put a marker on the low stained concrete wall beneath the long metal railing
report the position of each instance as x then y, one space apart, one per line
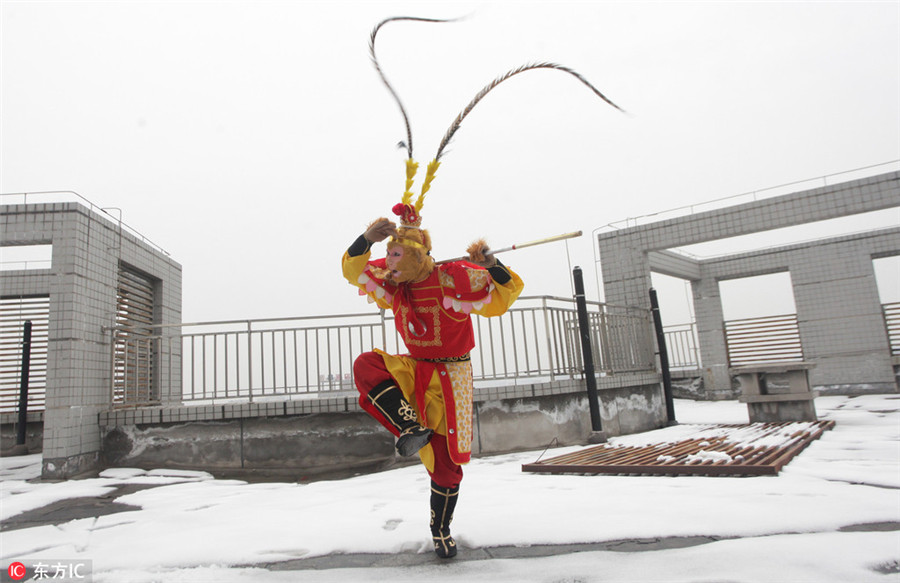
333 436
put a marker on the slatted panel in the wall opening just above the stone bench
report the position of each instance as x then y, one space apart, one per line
766 339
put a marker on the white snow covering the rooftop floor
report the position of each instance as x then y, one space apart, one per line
192 527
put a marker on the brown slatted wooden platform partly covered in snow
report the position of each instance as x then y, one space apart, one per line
754 449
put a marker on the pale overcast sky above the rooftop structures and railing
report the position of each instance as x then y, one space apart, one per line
253 140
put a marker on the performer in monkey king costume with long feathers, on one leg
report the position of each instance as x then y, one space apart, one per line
424 398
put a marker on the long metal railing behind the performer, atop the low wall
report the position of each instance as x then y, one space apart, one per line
304 357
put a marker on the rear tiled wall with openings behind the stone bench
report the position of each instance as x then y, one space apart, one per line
839 312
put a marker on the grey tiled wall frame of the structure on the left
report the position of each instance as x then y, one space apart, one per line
88 249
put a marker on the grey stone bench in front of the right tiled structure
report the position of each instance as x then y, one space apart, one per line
777 392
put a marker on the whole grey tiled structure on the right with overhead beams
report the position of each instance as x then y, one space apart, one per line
841 327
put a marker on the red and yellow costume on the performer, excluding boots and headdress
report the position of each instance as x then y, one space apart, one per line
433 316
